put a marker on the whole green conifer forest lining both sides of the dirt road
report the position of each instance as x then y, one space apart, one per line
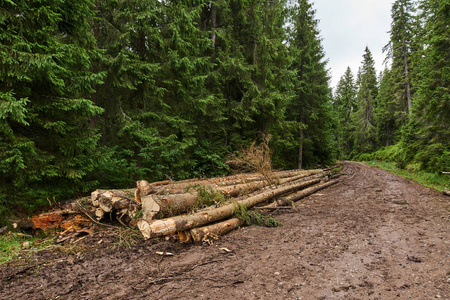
99 94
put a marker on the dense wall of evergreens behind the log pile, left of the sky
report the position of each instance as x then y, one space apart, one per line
108 92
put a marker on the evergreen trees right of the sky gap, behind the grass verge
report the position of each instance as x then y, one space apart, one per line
410 114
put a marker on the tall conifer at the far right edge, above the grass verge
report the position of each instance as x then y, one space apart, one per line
427 138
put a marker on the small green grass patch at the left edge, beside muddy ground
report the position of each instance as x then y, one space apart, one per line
12 246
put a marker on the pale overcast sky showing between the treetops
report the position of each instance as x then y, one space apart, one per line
347 27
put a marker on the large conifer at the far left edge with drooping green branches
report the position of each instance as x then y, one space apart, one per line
46 142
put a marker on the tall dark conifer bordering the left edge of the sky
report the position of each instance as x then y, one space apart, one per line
310 108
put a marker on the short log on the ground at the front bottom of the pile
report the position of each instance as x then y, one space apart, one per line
200 234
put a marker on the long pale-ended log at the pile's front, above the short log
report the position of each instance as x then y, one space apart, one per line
175 224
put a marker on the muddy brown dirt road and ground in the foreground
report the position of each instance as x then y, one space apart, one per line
373 235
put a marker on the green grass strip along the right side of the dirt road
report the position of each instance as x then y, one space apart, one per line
439 182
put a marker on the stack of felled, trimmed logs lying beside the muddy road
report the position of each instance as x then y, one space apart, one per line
168 207
